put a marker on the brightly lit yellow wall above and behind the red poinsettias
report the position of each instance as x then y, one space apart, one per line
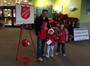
64 3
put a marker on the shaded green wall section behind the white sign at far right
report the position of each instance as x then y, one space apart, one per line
84 17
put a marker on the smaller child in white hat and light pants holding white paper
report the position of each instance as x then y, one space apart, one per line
51 43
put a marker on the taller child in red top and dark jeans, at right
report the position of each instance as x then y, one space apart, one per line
62 40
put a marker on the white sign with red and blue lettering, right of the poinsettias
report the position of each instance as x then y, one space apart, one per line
81 34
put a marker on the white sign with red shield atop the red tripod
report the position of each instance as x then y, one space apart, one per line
24 14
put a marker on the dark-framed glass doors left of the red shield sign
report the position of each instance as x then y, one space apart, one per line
8 14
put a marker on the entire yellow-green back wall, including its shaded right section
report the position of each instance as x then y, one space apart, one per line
81 13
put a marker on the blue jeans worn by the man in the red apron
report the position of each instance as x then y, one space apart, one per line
40 48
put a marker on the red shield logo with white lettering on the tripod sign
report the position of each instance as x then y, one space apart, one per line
25 12
